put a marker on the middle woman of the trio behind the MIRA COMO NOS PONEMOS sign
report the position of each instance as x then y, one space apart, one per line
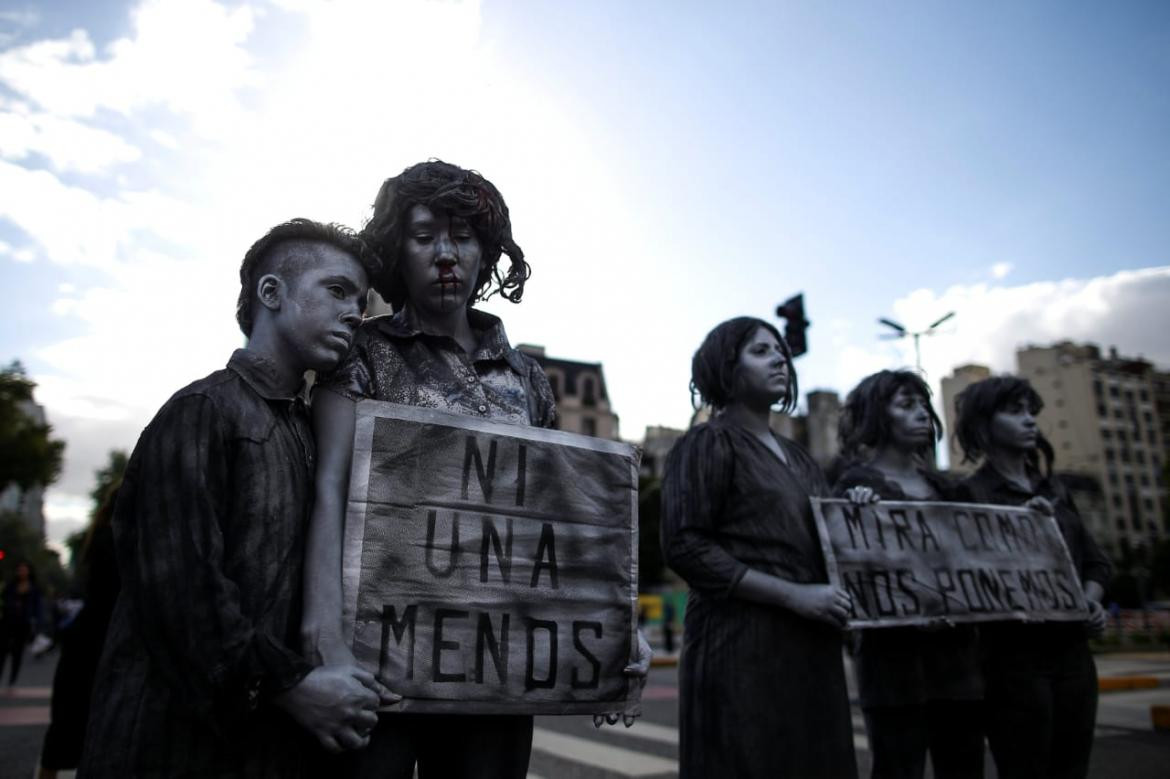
920 688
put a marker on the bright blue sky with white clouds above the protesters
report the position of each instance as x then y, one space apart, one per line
669 164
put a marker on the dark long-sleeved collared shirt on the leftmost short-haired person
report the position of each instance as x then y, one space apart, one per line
210 529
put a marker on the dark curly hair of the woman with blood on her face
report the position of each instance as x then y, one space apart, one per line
451 190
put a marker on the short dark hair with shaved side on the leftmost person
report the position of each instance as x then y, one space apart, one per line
263 259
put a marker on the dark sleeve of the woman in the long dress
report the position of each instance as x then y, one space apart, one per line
696 487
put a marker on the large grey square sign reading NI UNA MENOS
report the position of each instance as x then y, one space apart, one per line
491 568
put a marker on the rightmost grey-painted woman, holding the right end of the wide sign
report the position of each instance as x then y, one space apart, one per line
1041 681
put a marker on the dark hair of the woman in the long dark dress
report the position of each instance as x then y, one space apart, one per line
713 368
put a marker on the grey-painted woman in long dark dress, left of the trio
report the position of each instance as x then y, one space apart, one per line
762 683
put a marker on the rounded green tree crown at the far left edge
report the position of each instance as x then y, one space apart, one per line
29 456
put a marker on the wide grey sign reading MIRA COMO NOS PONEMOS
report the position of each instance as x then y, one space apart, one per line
907 563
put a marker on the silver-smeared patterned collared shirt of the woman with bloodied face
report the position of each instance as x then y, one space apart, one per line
394 361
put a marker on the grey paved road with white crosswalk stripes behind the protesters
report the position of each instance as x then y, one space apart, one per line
570 748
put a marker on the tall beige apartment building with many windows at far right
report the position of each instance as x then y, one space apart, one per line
1103 420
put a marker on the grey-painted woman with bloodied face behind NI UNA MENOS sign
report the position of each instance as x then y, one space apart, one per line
441 231
